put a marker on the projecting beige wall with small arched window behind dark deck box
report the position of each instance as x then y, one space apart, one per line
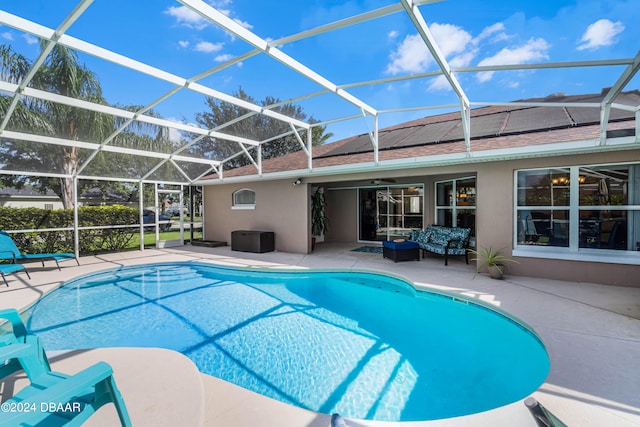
280 207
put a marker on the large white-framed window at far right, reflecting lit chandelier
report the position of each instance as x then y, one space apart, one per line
580 208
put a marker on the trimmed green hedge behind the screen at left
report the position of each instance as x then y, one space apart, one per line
91 241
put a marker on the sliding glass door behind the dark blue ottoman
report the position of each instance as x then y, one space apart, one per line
389 212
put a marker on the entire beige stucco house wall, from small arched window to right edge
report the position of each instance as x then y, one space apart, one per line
284 209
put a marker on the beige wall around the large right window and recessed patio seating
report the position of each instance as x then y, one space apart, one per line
495 214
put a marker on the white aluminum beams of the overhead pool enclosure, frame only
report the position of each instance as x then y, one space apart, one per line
272 50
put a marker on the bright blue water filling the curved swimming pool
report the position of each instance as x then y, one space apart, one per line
365 345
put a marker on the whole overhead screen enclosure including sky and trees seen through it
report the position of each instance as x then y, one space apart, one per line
184 91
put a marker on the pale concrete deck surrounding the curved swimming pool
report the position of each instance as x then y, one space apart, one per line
592 333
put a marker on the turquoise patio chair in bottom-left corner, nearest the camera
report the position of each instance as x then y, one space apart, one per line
56 399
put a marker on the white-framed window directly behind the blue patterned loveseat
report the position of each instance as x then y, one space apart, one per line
456 204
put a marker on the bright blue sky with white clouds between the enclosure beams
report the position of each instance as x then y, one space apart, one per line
166 35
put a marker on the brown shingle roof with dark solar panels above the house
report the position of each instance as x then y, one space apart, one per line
492 127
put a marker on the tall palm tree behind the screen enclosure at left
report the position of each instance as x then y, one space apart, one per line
62 73
